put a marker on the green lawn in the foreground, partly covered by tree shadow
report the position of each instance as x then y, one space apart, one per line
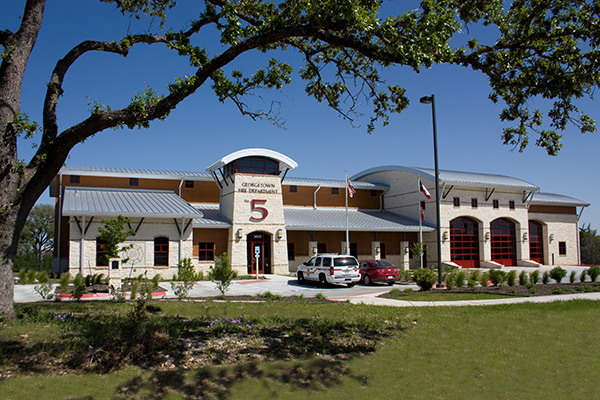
524 351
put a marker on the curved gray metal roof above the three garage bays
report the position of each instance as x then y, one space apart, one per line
469 179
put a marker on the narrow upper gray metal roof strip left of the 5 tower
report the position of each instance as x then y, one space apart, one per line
136 173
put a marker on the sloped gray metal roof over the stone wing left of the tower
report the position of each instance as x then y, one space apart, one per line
126 202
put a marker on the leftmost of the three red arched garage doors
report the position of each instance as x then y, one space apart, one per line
464 242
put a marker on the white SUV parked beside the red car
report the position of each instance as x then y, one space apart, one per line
330 268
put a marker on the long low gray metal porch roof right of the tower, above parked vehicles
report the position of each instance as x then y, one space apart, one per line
334 219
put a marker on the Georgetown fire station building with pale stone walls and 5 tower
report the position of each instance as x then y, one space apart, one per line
247 206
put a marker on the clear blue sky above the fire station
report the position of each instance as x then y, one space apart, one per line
201 130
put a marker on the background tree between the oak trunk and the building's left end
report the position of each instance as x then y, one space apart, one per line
37 239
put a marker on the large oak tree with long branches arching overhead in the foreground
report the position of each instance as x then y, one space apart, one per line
545 49
